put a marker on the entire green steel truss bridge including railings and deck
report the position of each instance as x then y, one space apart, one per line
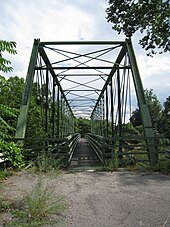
97 80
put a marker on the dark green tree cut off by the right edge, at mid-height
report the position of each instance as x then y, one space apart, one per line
165 121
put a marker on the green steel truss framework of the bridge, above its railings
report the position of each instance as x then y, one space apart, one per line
80 79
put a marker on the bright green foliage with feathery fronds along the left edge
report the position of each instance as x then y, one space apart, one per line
10 150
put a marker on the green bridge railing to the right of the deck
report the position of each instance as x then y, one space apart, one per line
128 149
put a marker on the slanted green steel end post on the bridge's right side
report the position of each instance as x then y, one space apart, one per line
145 115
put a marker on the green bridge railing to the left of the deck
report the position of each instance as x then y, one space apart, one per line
59 148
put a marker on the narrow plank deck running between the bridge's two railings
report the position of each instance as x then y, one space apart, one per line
84 156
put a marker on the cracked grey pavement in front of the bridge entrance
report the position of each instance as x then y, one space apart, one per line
103 199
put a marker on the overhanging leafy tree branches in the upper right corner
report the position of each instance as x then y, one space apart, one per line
151 18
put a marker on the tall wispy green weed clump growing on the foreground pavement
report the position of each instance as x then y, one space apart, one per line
39 207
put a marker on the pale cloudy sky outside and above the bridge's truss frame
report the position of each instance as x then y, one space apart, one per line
70 20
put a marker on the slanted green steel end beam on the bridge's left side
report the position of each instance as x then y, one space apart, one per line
22 119
